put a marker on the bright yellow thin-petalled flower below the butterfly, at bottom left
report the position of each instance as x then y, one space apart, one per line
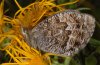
22 54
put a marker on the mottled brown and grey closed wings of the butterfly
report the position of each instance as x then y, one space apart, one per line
64 33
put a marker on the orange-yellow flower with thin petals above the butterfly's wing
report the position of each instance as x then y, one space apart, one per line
30 15
